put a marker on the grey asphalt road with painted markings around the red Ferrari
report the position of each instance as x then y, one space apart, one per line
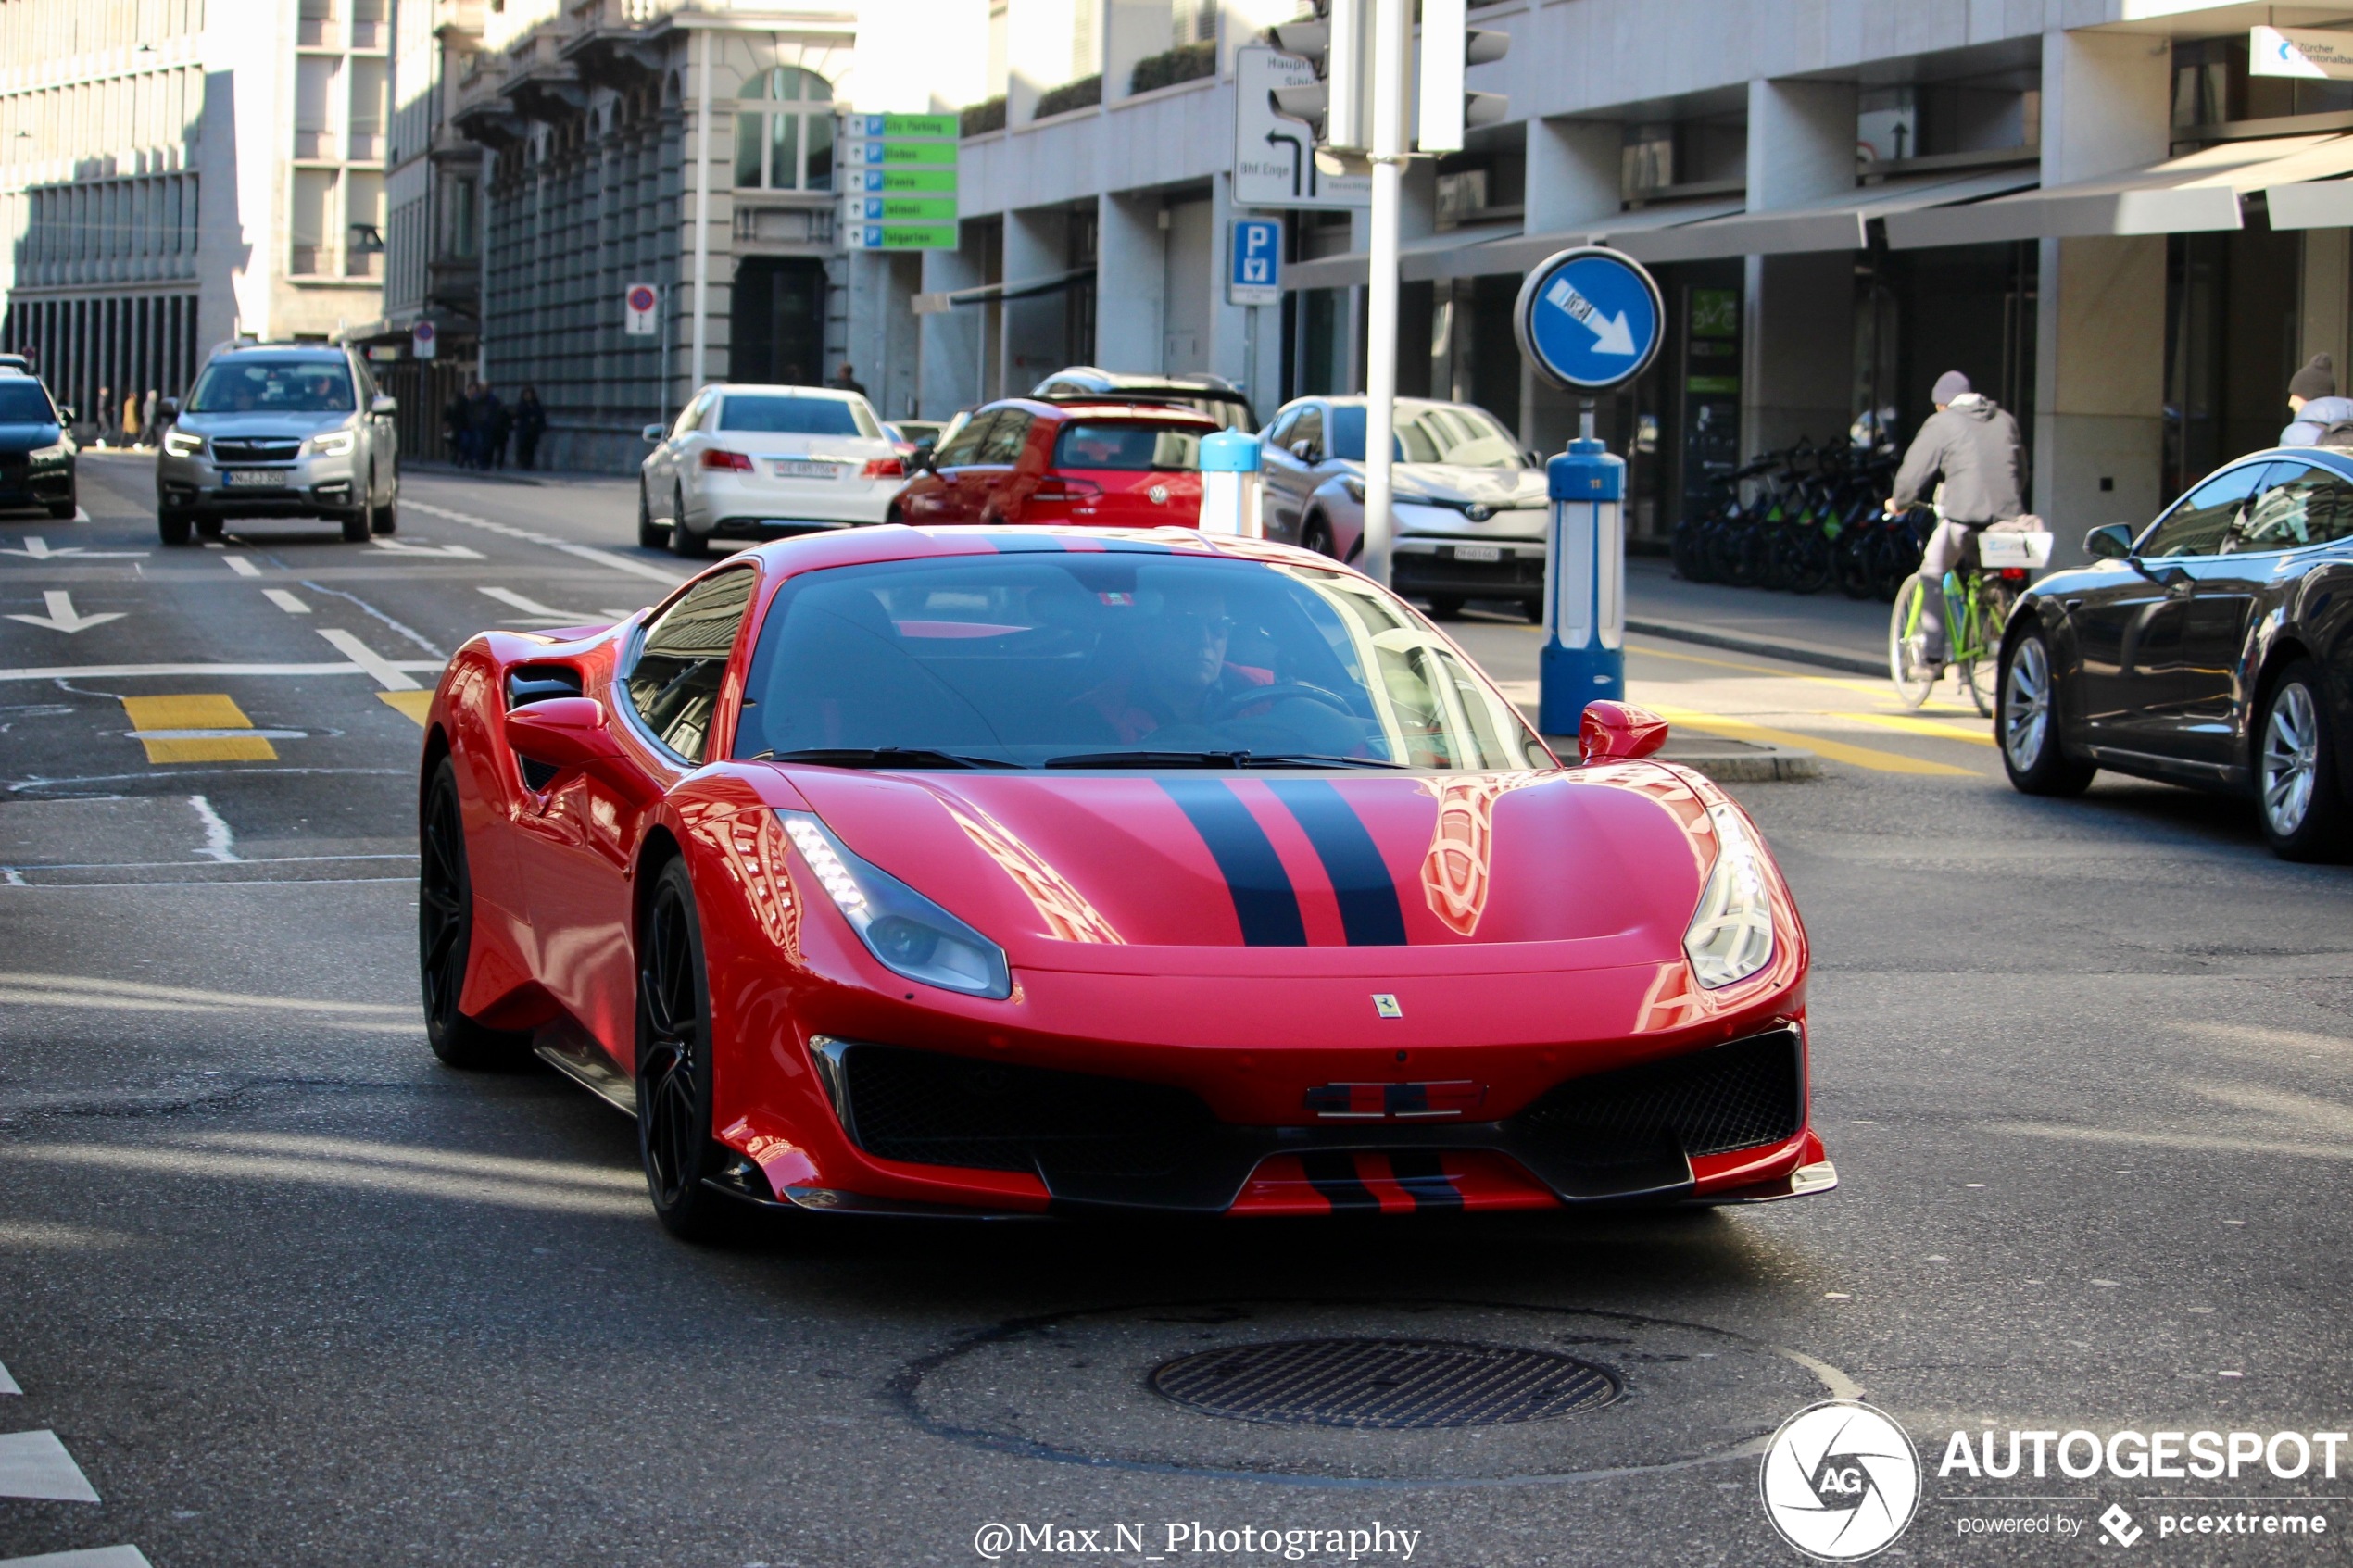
286 1292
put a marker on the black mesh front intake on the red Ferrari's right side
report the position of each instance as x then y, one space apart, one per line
1712 1101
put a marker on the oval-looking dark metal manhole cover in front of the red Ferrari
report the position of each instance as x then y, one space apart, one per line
1385 1386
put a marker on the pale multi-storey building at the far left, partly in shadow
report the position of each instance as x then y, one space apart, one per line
178 173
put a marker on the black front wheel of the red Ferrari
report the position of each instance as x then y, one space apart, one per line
674 1064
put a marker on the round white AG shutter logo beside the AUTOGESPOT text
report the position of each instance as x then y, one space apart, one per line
1841 1482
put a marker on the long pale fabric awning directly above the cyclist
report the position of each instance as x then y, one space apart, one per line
2199 192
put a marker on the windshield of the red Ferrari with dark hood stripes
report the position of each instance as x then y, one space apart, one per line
1053 659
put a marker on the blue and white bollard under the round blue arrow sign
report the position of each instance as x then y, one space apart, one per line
1585 587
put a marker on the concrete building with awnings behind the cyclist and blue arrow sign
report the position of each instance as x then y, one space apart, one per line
2088 206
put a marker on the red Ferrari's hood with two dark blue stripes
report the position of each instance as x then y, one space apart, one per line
1293 873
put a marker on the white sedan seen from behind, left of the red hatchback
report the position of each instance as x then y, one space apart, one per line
766 462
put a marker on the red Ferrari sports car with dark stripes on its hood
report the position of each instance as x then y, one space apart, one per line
1029 871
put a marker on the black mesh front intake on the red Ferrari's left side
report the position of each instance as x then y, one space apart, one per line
954 1111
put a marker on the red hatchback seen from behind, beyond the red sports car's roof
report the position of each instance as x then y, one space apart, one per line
1091 464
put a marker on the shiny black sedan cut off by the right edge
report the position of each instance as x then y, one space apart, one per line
2213 648
